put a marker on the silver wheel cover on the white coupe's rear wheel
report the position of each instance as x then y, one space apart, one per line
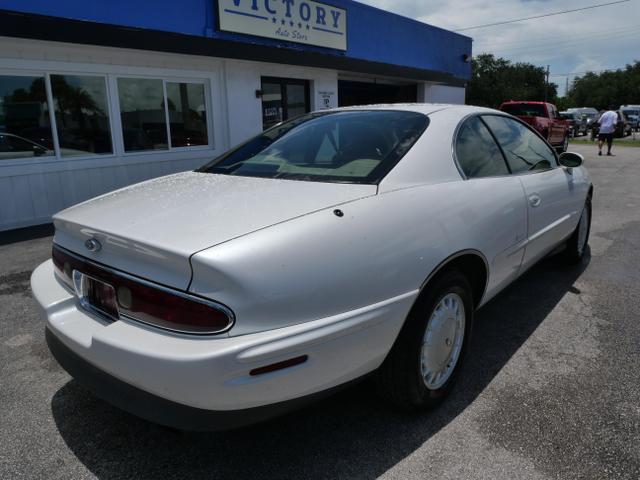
442 341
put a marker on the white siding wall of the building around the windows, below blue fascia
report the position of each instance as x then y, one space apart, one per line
33 189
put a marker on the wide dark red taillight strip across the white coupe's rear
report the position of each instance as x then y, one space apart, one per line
145 301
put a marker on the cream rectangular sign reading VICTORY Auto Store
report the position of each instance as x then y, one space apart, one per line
301 21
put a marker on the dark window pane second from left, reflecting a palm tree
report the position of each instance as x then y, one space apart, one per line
82 114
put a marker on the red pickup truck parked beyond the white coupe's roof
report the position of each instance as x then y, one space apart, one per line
544 117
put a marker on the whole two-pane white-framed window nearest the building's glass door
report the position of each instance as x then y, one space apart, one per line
145 113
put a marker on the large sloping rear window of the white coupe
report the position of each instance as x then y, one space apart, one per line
348 146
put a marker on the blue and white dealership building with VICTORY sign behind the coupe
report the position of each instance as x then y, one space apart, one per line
98 95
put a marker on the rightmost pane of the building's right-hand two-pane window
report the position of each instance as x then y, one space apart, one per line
187 114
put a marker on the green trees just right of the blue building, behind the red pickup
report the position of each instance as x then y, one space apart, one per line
495 80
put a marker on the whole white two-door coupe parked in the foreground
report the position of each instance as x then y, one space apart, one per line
341 243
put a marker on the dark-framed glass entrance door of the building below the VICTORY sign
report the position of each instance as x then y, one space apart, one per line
282 99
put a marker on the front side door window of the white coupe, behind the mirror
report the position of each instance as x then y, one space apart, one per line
525 151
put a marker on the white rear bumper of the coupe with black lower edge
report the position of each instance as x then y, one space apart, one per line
208 378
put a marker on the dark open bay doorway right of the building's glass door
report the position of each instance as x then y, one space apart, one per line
367 93
